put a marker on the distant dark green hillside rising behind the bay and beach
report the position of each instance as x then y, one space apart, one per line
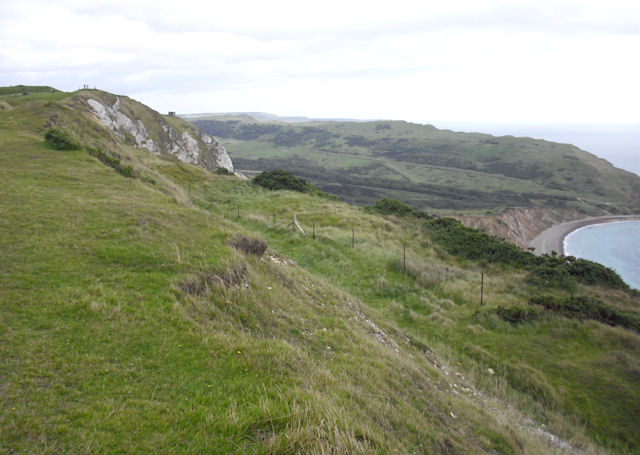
430 169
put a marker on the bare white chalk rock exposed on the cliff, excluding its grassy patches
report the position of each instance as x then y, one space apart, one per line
206 152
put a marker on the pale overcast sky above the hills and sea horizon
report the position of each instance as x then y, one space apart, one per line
528 61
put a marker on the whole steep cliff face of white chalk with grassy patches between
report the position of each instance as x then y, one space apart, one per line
147 129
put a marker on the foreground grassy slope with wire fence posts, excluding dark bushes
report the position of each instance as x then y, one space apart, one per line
135 319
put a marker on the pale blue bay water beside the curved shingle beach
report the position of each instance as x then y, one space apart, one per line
616 245
